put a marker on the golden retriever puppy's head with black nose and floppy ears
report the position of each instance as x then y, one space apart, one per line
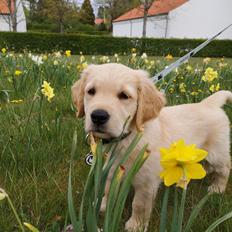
110 94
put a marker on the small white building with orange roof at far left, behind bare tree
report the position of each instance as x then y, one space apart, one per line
6 19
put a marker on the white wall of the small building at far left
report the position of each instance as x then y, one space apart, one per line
21 26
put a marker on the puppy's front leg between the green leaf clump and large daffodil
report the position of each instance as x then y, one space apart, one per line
142 206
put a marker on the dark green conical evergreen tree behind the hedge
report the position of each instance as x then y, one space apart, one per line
86 13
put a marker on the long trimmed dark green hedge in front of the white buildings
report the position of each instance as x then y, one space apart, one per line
107 45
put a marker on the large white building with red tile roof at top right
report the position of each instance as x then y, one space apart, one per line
178 19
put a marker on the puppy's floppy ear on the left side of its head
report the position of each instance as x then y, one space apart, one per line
78 92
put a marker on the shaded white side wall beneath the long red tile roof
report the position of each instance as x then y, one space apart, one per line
156 27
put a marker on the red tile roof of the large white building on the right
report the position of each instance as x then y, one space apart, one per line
157 7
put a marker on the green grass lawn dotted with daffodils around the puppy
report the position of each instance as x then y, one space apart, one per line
36 134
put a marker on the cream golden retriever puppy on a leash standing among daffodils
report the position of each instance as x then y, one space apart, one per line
108 94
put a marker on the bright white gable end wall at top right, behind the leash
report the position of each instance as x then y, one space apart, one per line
200 19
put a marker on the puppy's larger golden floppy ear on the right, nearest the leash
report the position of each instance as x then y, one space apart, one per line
150 100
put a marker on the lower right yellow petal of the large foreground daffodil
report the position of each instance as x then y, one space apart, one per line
195 171
